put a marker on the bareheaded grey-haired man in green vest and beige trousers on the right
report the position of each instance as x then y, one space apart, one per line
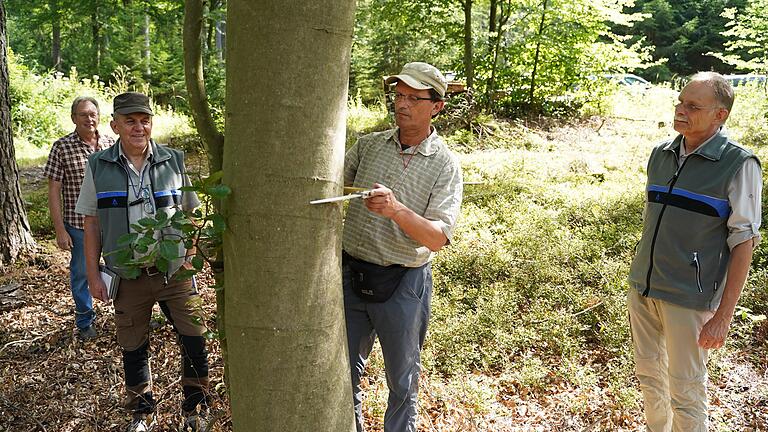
700 227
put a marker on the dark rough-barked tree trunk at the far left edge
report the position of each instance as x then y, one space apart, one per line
15 236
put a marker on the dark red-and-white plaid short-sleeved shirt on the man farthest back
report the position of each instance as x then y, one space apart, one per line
66 164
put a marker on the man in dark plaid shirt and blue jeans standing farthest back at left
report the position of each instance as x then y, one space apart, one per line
65 169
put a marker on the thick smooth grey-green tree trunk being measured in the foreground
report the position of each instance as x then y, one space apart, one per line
287 77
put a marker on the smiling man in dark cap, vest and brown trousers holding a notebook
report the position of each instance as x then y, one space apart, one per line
132 180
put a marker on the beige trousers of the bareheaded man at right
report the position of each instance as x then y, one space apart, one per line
671 367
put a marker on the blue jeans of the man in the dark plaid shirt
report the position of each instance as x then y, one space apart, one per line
78 283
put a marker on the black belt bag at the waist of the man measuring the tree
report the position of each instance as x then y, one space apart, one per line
372 282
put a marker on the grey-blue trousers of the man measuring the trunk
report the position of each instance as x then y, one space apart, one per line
401 326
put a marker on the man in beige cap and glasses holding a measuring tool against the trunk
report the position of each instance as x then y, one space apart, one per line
391 236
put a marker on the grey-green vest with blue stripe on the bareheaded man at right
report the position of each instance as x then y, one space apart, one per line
683 255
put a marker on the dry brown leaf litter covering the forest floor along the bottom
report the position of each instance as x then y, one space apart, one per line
52 381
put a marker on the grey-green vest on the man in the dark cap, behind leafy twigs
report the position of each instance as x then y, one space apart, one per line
110 176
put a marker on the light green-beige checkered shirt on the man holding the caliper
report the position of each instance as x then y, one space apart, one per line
431 186
